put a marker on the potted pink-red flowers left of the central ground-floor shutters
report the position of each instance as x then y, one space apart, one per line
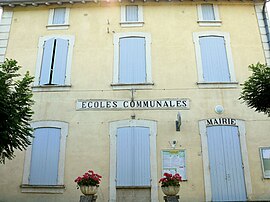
88 183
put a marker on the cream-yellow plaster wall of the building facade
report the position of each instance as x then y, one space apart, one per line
174 74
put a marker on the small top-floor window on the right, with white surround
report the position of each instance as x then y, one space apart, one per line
208 15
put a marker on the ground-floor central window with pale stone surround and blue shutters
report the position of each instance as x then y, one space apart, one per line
134 139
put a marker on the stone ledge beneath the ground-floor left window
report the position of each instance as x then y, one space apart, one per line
50 189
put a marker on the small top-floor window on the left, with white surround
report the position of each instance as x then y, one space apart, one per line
58 18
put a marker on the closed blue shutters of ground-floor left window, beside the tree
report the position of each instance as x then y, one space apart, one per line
45 157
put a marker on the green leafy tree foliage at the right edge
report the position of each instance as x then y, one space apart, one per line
256 90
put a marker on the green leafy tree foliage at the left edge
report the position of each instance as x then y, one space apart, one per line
15 109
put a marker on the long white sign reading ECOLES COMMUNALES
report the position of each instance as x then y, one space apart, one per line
132 104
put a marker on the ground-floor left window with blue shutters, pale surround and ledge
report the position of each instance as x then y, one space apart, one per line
44 161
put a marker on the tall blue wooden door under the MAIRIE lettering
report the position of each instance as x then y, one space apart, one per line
226 172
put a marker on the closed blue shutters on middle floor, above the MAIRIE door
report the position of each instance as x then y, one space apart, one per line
214 59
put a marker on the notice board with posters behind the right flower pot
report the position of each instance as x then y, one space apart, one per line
174 161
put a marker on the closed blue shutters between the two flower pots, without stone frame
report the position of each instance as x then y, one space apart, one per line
133 156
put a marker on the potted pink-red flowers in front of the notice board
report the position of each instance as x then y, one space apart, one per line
170 184
